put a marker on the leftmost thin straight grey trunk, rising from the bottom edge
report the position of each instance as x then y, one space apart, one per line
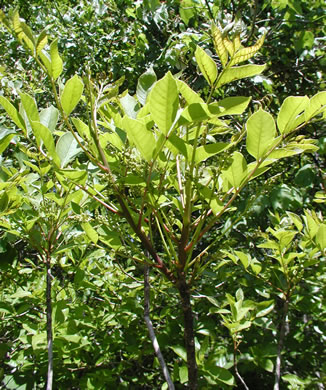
49 323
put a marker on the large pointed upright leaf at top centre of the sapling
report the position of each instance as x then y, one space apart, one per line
164 102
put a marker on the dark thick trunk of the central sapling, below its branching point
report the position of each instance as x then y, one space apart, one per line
189 334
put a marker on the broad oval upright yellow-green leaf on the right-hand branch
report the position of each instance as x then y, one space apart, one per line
261 131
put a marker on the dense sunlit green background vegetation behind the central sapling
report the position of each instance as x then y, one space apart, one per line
100 337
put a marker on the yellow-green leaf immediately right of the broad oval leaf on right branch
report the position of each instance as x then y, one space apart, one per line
289 116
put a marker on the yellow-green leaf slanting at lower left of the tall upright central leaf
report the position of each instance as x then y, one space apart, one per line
138 134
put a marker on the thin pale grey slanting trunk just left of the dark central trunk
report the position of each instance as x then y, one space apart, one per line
151 329
